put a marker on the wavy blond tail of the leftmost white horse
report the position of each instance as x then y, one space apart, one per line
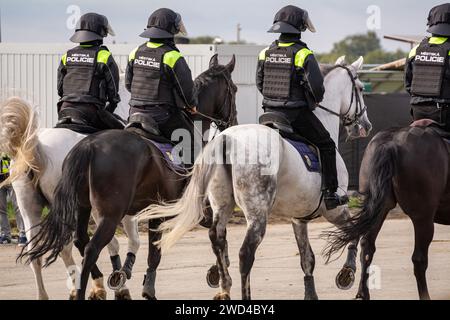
18 138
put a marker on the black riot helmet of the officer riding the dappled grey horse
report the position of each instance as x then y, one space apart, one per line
291 19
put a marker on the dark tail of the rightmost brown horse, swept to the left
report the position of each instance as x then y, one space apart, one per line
383 168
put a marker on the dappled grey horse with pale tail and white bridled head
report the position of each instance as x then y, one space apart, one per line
241 168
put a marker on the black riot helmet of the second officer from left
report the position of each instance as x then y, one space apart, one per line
164 23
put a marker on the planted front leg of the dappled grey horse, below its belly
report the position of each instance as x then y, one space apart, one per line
307 259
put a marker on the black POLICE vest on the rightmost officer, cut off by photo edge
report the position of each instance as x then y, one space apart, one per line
431 76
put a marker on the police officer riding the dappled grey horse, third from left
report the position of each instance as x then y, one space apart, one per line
289 78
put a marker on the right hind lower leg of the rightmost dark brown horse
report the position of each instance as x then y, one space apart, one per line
423 235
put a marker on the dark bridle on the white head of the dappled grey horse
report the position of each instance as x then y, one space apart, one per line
346 119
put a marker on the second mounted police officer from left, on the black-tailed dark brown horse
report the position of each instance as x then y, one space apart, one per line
158 76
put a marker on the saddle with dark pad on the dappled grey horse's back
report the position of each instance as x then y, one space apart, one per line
308 151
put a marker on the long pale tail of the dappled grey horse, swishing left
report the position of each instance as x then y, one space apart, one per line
189 210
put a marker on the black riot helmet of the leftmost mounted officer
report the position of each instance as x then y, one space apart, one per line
91 27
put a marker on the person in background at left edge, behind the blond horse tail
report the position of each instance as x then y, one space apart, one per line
5 193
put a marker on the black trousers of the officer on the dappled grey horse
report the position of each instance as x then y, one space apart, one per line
306 124
